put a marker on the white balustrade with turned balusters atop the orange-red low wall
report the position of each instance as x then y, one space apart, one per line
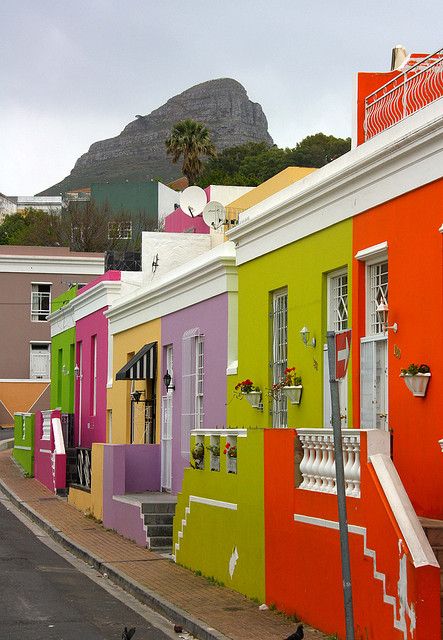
318 463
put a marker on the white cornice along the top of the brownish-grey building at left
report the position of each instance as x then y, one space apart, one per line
54 264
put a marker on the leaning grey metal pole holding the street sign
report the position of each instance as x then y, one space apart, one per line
341 492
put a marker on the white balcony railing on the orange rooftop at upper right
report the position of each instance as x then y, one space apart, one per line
414 88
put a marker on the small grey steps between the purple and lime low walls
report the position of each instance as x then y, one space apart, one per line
158 517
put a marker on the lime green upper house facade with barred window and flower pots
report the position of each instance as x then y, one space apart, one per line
302 267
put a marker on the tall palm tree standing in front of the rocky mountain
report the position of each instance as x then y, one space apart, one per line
192 140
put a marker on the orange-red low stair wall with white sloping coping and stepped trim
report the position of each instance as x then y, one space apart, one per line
394 573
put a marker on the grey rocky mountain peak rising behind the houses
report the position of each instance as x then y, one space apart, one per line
138 152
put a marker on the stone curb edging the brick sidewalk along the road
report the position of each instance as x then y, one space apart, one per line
144 595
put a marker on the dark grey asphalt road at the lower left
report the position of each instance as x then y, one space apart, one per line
47 596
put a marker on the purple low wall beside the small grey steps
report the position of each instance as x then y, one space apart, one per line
128 469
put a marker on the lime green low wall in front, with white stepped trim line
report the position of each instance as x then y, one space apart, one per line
213 531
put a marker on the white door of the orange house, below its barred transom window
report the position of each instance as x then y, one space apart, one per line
374 383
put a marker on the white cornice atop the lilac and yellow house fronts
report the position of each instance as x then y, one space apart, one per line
202 278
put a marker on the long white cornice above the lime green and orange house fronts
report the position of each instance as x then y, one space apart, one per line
405 157
